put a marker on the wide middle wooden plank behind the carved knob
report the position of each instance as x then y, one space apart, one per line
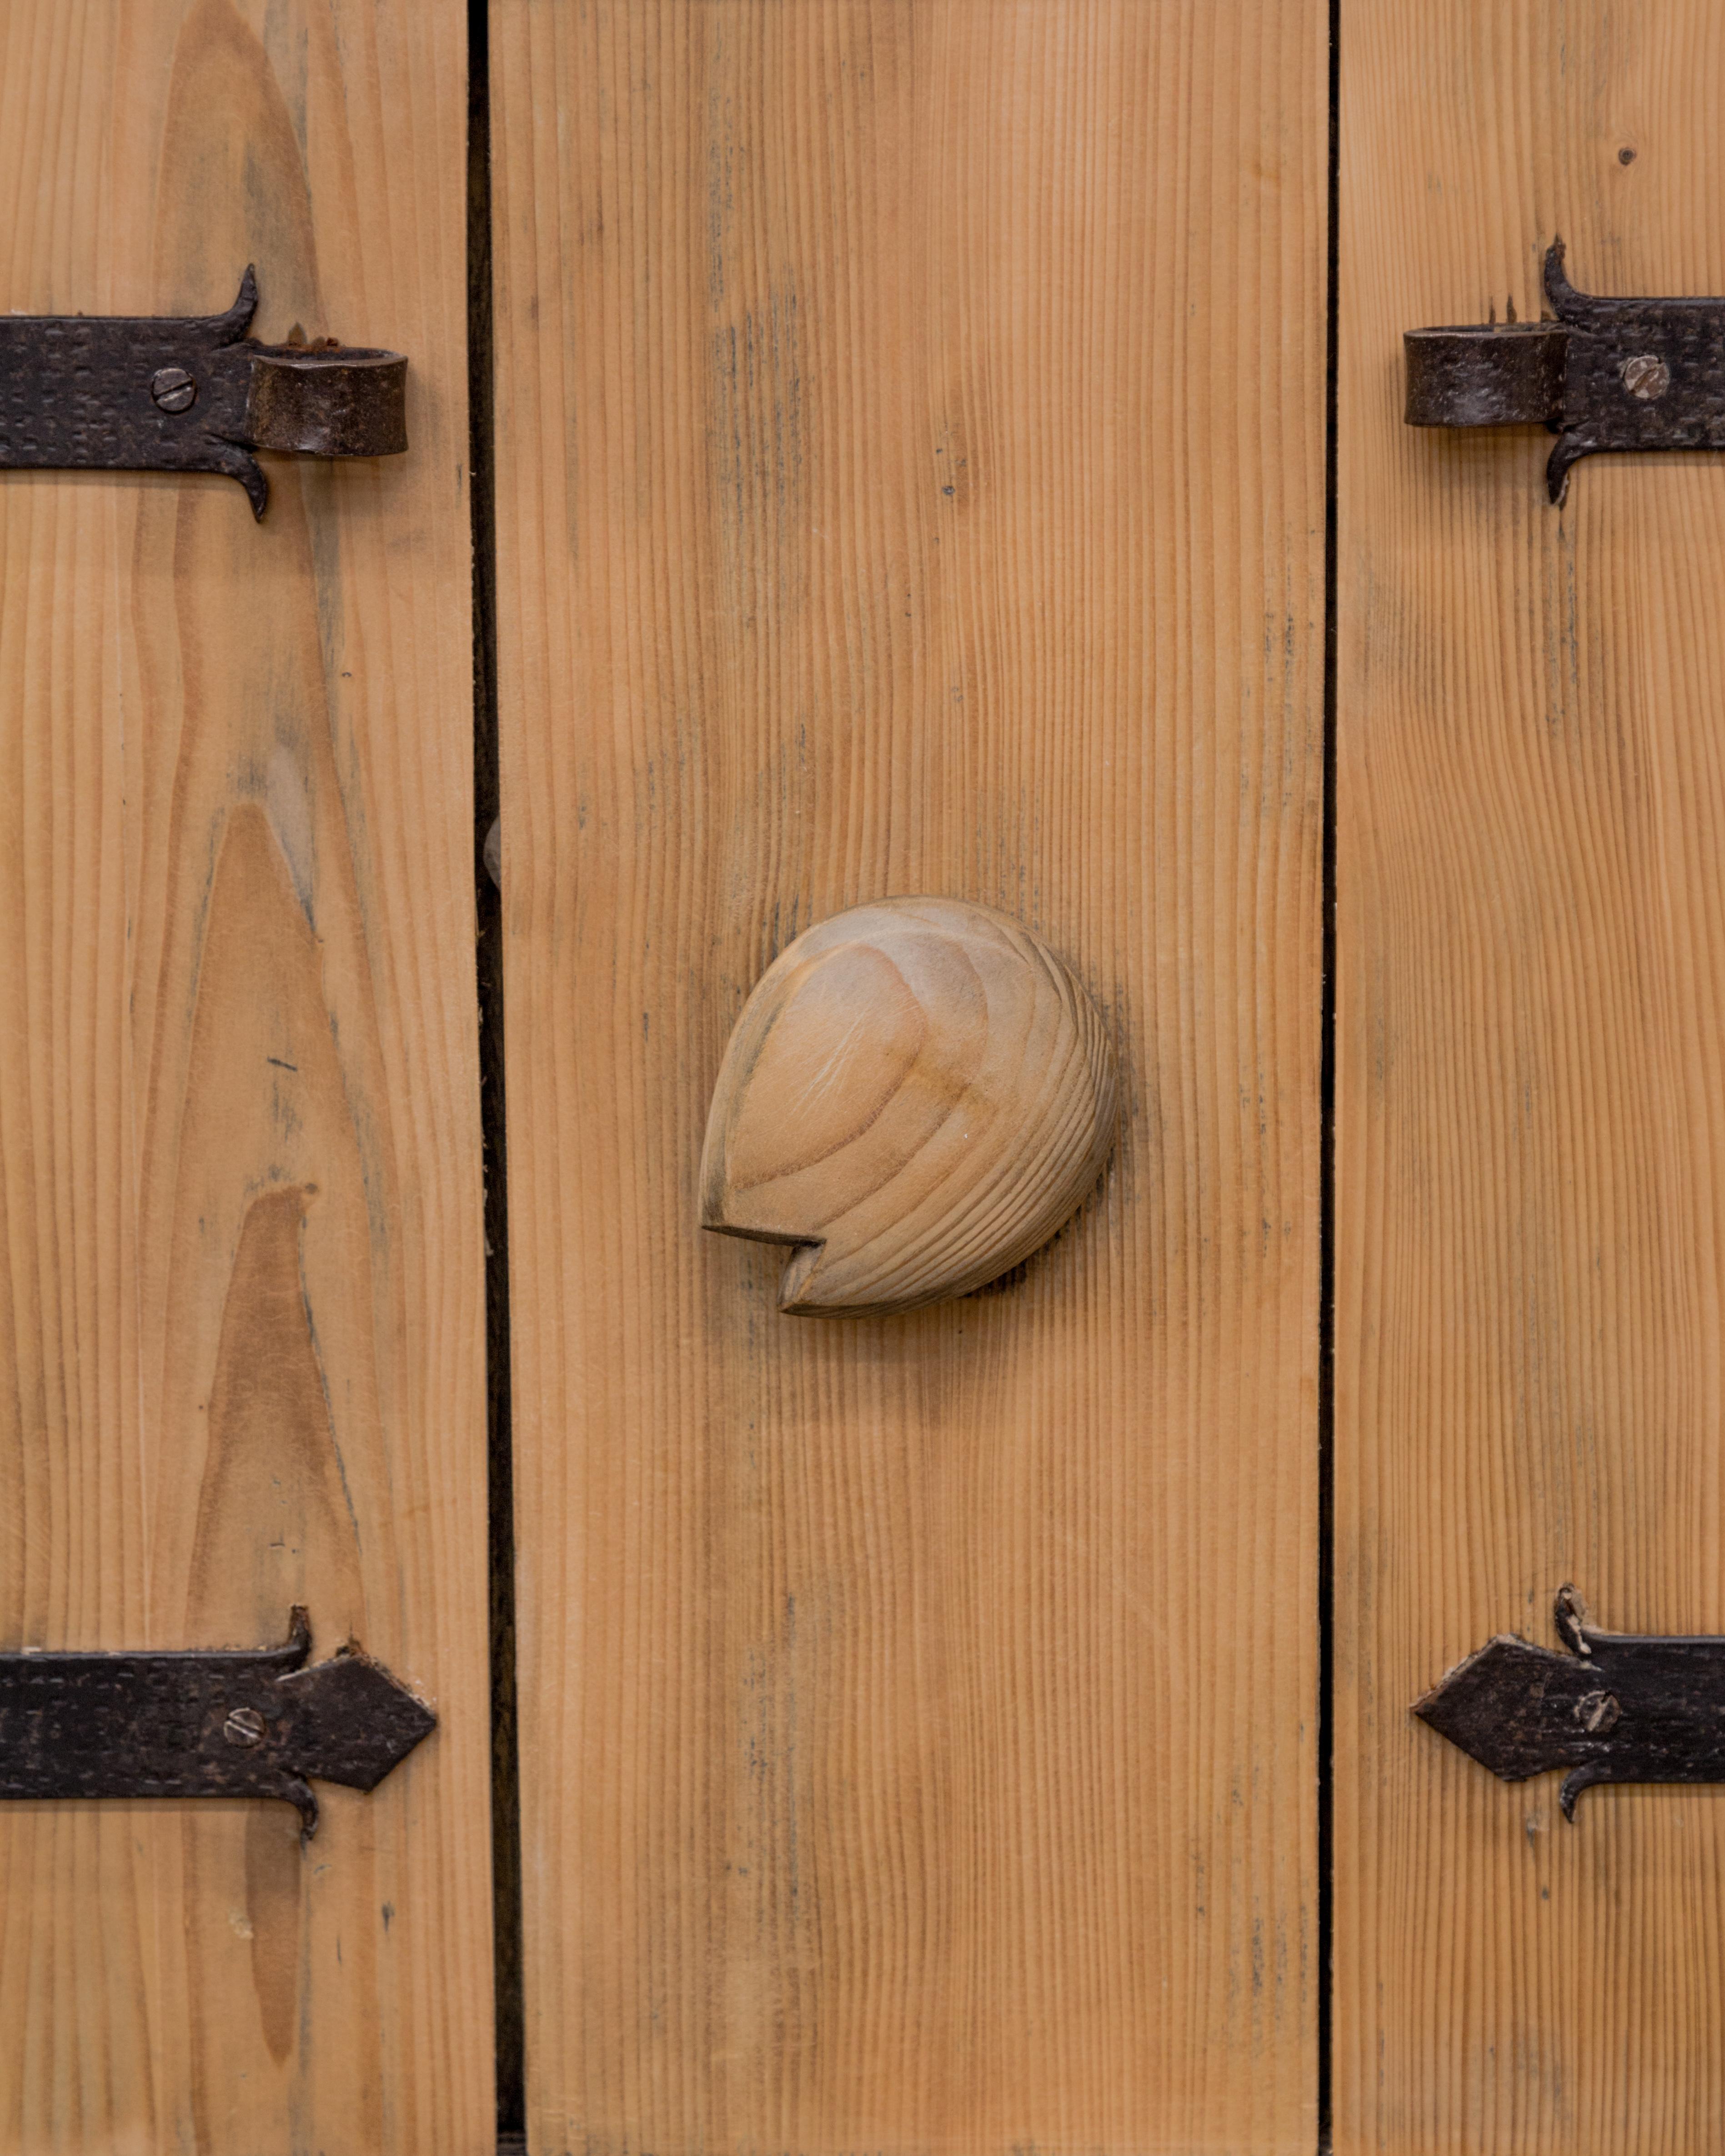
911 480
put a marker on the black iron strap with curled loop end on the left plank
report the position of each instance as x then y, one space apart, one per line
154 393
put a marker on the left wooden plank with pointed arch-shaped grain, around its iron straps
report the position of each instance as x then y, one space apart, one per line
243 1267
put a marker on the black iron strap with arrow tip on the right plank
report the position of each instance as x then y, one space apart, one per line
1618 1706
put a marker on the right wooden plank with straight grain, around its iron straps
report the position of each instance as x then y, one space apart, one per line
1532 1088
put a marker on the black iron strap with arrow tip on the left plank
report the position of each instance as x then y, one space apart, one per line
223 1724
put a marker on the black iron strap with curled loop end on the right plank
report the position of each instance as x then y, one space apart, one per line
1605 374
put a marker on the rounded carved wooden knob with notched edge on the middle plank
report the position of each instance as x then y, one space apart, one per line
917 1094
